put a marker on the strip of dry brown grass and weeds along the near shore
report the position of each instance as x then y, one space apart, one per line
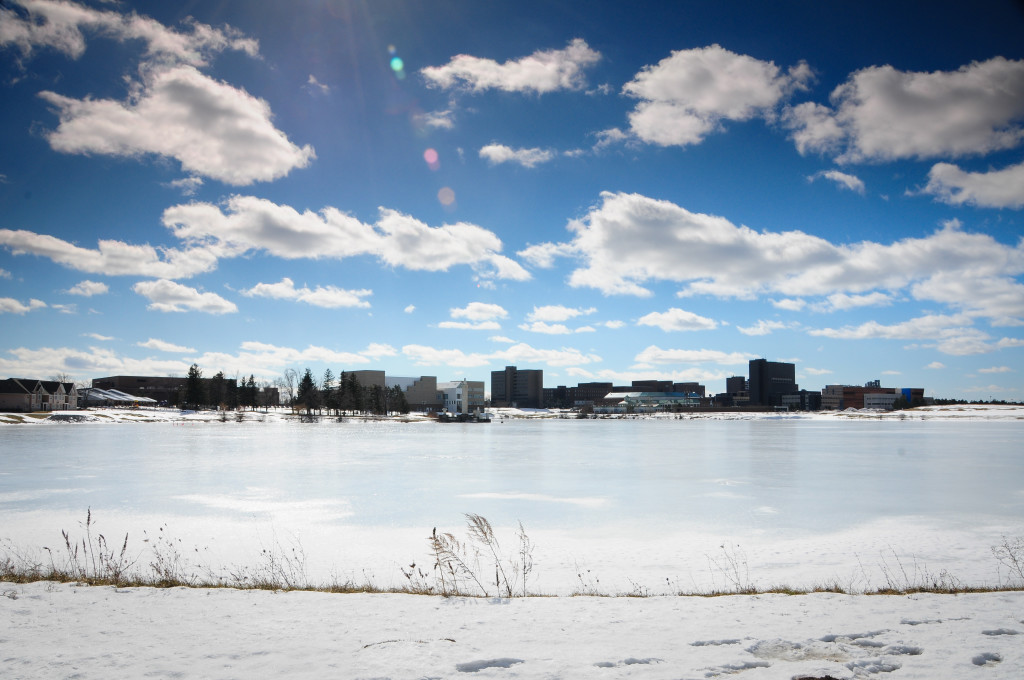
461 568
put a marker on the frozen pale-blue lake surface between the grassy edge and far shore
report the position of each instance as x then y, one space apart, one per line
632 501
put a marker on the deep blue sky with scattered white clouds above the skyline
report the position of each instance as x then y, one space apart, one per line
602 191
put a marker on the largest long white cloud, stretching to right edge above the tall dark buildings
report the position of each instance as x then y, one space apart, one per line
629 240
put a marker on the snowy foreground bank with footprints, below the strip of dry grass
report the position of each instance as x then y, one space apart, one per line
70 631
